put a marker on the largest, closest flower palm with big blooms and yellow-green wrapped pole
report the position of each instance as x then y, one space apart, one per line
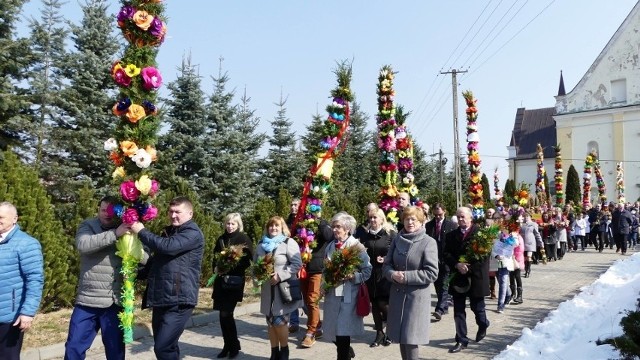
132 149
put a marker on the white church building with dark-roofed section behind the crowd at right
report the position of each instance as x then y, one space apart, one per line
602 112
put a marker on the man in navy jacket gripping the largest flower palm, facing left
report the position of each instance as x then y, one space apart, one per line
174 277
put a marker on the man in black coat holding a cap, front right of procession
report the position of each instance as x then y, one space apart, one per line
475 275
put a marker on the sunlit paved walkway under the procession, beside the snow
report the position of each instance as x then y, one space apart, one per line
548 286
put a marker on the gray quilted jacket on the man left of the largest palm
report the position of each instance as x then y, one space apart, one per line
99 282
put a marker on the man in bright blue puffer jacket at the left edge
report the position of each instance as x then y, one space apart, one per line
21 281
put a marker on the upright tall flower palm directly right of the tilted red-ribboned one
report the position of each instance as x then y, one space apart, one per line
386 121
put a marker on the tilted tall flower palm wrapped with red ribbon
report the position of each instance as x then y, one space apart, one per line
318 181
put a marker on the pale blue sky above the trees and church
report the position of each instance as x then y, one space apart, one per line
513 51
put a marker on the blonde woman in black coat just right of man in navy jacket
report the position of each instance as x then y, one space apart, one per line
226 294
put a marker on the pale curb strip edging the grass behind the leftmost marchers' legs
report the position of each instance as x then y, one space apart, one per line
140 331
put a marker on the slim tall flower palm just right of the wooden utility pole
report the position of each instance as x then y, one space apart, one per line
473 157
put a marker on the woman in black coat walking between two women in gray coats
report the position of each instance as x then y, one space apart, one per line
377 239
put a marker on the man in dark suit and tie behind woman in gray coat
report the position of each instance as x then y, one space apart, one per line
438 228
